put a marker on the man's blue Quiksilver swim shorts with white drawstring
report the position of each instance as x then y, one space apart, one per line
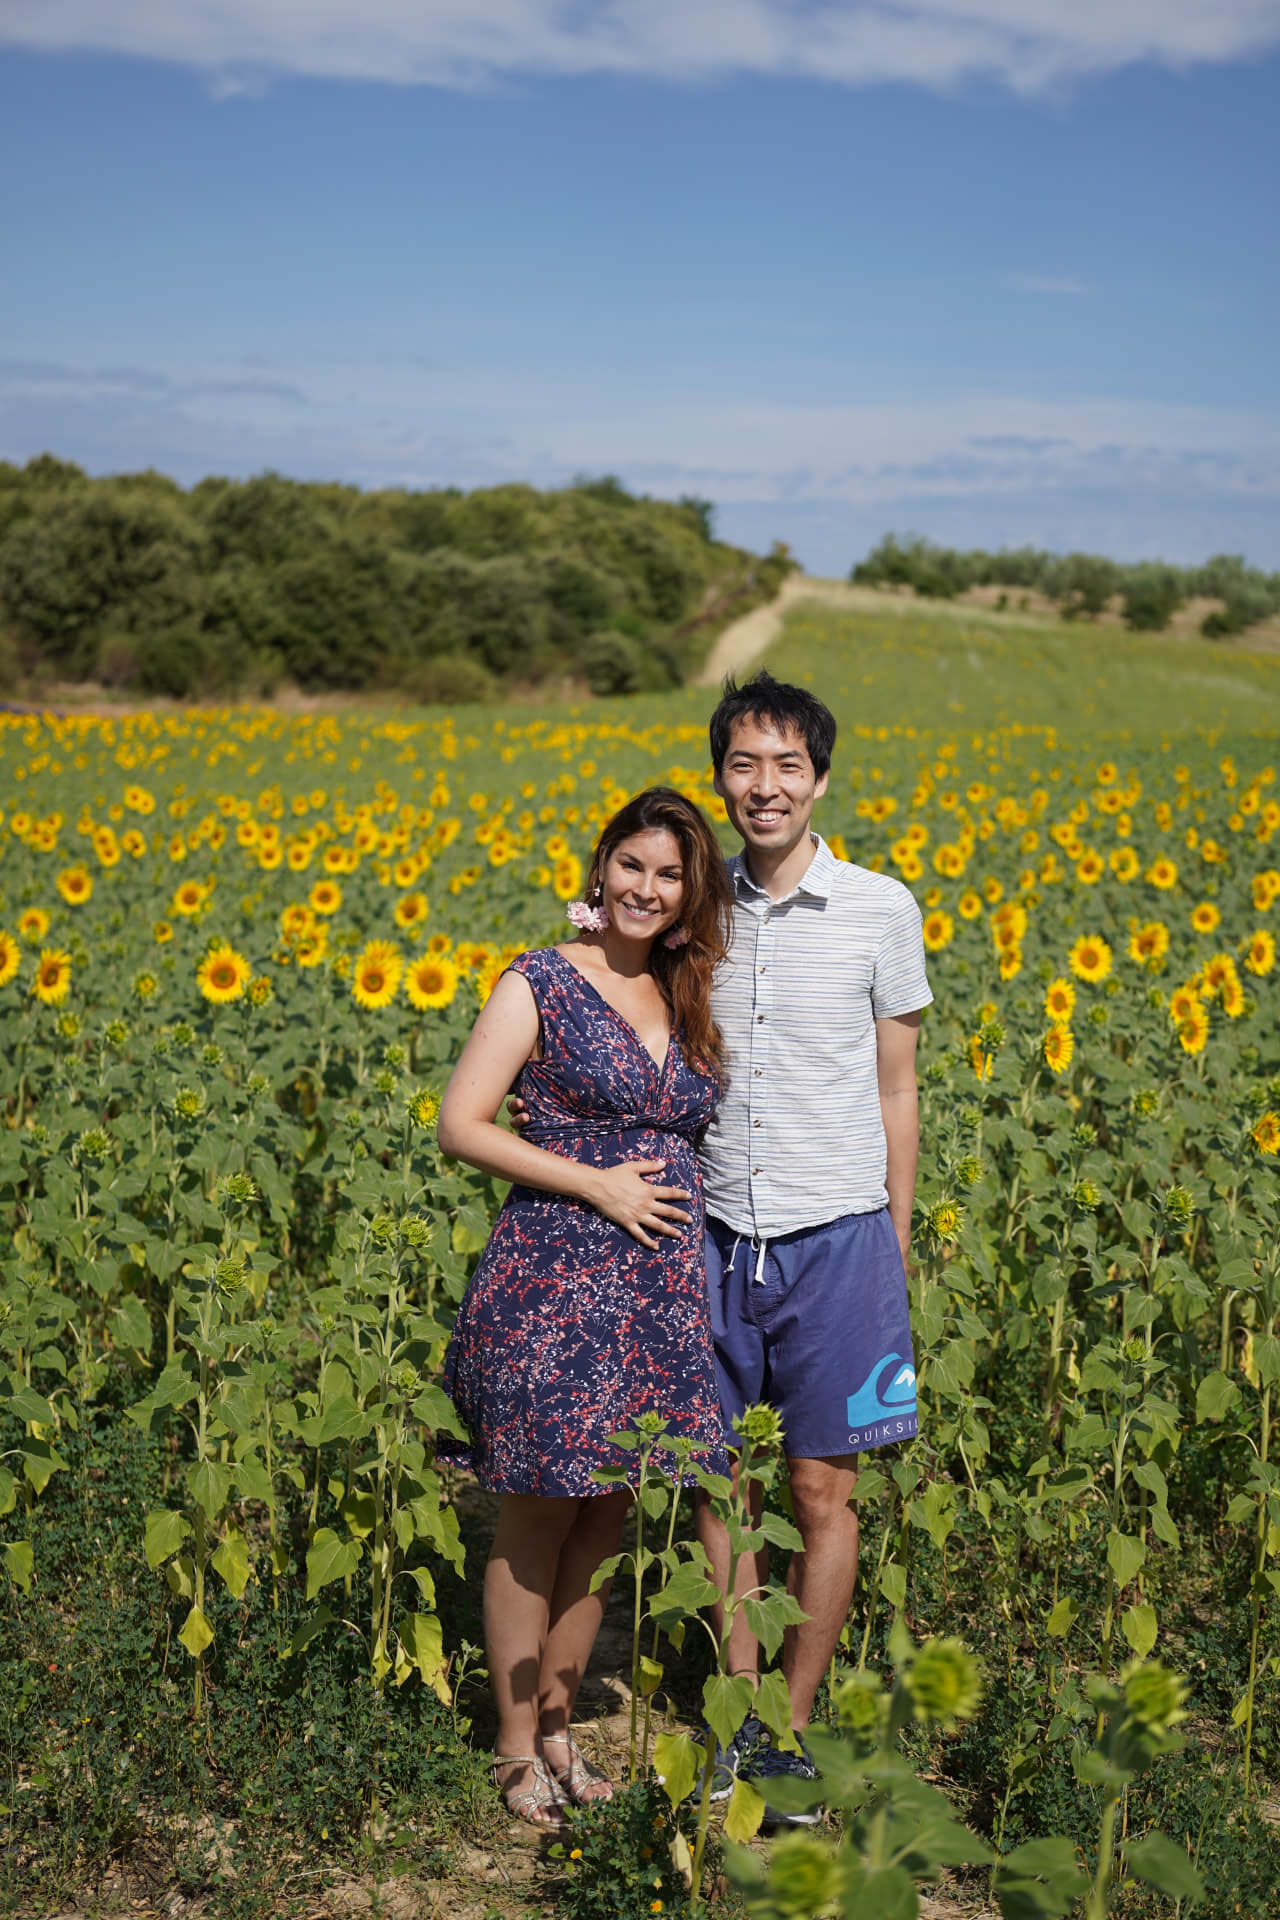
817 1324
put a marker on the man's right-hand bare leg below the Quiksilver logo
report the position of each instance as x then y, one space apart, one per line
822 1577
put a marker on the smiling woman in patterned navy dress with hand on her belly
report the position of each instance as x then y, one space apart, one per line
588 1307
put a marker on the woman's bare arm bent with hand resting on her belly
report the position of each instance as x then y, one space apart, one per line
500 1045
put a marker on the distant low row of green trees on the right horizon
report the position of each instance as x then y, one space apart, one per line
1081 585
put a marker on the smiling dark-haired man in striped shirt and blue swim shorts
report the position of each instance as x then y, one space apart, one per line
809 1170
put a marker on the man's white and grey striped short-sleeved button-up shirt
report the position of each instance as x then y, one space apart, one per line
799 1140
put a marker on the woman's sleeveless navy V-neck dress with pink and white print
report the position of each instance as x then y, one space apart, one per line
571 1330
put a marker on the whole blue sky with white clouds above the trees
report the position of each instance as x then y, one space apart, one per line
989 270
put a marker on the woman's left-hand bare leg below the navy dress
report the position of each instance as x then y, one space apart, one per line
519 1585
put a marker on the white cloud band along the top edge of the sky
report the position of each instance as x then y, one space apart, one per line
1028 45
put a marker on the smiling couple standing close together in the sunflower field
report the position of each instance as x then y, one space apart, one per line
711 1207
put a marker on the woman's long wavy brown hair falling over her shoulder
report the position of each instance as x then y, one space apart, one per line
684 974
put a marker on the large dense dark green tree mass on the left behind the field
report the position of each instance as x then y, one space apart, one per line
235 587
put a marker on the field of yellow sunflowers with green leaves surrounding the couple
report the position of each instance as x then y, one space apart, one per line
239 953
